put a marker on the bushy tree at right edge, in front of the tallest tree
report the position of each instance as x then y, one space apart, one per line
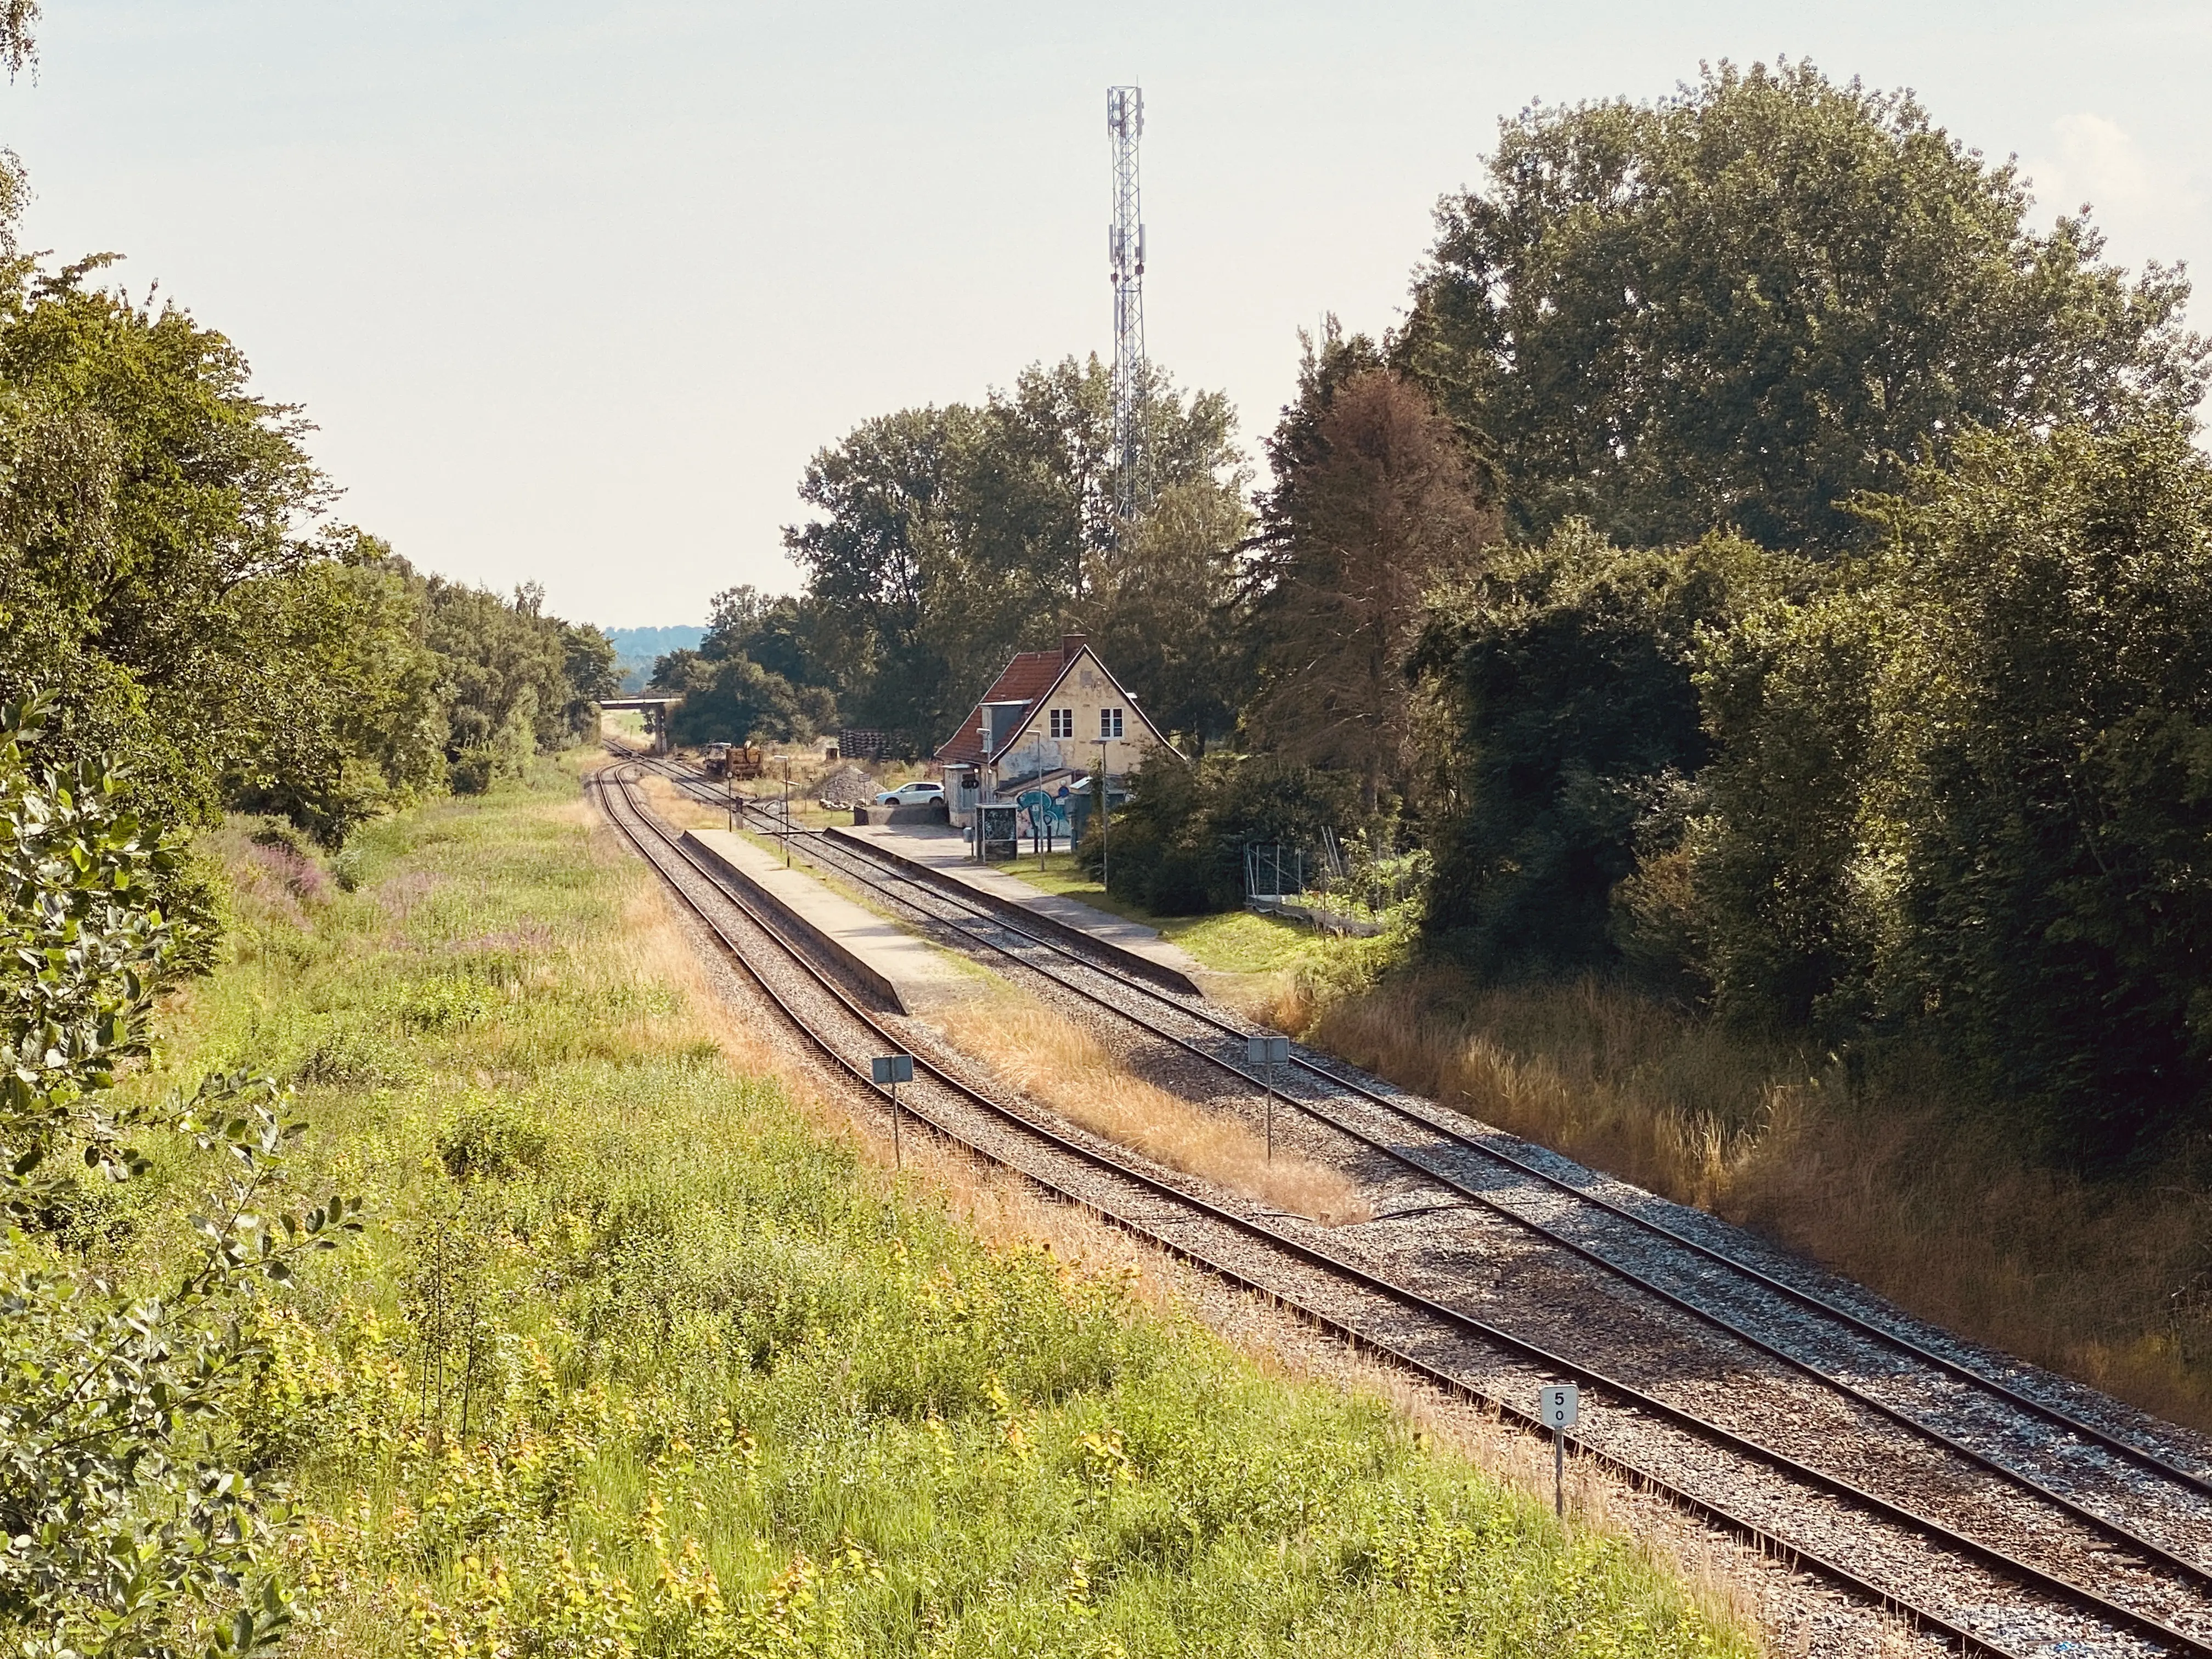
1970 786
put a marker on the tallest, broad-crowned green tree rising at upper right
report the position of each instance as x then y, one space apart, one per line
1746 304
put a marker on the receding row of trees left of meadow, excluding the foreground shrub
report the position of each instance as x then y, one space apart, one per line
174 585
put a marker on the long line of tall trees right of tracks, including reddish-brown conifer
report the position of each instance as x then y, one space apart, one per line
1762 565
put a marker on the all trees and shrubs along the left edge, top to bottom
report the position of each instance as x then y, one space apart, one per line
182 634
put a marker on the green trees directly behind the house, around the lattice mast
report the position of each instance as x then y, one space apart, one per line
950 539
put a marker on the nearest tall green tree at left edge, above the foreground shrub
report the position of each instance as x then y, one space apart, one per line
149 494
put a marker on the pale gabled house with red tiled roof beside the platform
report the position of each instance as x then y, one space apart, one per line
1047 722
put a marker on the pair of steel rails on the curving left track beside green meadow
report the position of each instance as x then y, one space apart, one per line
1468 1324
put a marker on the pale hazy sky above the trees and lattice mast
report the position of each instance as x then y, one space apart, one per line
576 291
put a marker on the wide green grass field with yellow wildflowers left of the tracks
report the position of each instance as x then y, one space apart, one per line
640 1361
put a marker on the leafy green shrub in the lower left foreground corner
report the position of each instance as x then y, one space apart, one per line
132 1523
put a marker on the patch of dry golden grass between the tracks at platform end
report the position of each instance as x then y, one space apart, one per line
1065 1067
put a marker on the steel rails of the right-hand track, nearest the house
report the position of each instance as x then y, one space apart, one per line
1813 1302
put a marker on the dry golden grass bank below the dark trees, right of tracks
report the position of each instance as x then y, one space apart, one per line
1884 1182
